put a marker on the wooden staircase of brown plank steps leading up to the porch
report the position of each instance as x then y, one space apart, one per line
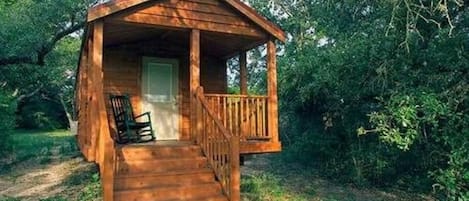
171 172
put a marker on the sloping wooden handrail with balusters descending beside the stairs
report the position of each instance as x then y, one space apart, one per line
218 144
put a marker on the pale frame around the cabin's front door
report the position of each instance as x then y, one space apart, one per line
175 62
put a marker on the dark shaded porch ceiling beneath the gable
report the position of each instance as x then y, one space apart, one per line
212 43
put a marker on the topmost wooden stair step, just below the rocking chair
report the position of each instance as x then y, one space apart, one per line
157 152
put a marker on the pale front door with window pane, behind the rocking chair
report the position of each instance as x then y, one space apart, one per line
160 92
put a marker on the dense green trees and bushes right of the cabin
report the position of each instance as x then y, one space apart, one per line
394 70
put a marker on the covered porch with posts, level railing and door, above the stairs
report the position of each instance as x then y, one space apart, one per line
200 60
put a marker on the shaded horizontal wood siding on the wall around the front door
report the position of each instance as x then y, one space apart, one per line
122 75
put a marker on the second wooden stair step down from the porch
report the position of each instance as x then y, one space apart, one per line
161 165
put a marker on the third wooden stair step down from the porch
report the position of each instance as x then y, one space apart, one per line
174 178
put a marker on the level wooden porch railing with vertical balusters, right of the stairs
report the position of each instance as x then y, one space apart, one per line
245 116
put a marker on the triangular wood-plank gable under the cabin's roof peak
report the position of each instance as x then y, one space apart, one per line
205 15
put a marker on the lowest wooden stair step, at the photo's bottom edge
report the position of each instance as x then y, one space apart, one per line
190 192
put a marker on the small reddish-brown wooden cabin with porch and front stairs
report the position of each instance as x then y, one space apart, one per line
170 57
